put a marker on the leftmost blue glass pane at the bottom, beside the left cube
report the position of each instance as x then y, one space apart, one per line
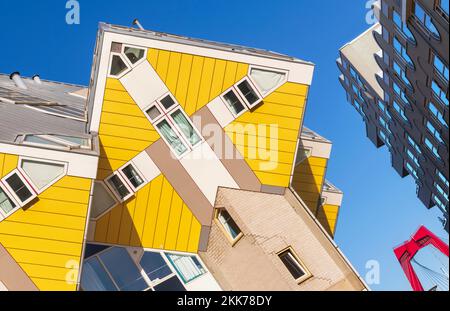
95 278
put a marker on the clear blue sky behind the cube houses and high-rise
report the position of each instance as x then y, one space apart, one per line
380 209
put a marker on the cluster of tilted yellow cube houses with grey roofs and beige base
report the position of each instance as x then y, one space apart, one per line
183 166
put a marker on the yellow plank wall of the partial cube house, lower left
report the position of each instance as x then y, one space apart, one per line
46 238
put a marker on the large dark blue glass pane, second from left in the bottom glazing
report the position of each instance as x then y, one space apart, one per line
123 270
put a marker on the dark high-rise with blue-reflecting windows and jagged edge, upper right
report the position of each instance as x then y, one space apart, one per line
396 75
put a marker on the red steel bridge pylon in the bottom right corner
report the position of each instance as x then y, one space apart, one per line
406 252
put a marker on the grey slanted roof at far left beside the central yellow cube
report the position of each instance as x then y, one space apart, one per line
19 119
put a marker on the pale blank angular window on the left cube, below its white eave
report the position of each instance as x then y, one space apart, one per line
42 174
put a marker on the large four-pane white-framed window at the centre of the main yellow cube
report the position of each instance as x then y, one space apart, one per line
173 125
